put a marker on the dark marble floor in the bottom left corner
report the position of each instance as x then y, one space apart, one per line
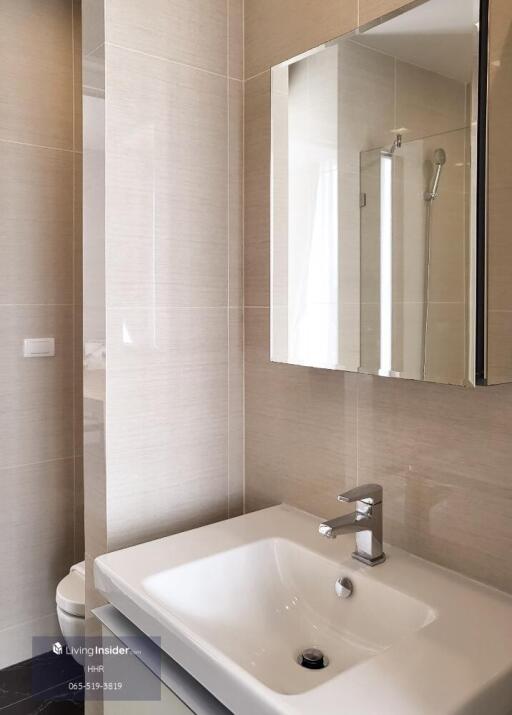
42 685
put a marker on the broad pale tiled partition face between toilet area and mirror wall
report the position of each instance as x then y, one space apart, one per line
173 263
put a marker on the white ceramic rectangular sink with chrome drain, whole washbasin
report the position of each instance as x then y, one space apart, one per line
235 603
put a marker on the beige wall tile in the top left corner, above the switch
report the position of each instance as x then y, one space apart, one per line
37 68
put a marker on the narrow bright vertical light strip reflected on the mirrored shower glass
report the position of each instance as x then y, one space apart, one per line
386 263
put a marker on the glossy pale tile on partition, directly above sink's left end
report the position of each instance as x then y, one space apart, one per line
167 397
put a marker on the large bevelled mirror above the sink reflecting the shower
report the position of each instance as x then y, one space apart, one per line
375 206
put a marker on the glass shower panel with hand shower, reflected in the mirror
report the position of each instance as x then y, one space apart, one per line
413 259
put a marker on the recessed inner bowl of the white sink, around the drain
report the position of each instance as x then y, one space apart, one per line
279 600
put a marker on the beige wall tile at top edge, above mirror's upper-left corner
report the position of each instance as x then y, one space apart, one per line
276 30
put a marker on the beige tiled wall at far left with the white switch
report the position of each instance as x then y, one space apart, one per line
41 511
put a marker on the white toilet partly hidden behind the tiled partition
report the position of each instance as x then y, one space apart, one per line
70 598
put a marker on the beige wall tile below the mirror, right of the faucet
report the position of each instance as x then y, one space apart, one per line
425 444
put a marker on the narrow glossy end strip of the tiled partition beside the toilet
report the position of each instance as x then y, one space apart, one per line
94 336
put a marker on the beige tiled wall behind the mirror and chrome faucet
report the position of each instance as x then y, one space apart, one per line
443 454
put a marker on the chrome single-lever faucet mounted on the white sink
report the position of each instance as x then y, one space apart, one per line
365 522
